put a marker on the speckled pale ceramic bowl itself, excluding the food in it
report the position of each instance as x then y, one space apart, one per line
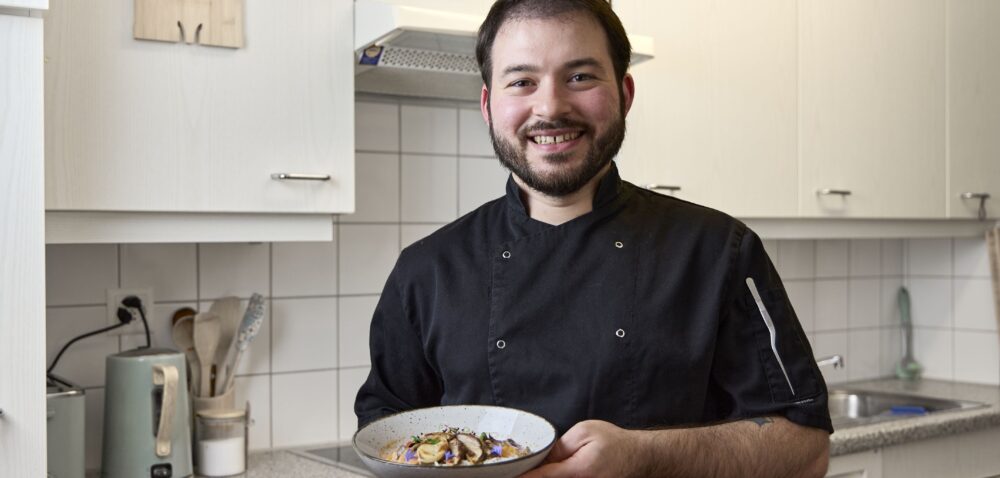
525 428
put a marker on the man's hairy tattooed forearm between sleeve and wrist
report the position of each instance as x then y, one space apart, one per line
766 446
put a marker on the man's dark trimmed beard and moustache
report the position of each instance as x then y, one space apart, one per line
563 183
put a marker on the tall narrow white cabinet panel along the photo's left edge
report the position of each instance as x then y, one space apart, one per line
22 242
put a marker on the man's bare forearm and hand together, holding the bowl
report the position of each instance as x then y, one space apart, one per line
762 446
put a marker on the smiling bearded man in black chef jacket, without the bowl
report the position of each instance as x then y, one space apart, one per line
655 334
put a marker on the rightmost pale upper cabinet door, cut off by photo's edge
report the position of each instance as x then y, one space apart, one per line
973 106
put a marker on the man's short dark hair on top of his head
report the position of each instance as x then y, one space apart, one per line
503 10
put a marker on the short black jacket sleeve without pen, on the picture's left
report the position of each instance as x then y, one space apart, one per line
401 377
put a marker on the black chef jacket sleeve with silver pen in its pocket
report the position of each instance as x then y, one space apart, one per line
752 377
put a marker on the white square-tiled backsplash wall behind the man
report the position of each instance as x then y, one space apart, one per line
419 166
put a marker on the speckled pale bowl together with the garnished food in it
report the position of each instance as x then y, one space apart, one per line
492 442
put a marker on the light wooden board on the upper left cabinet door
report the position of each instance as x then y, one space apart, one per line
206 22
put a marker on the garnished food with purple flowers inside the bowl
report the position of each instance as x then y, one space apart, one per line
453 447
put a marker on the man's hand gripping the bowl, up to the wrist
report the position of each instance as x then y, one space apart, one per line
596 449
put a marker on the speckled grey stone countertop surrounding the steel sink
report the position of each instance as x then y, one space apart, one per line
878 435
